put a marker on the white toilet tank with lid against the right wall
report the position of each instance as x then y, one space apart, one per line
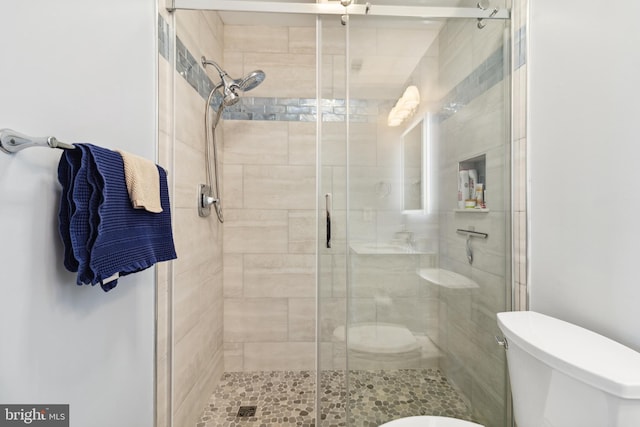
563 375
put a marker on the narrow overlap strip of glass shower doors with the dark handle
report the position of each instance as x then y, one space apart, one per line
332 202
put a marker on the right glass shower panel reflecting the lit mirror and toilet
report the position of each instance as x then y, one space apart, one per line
420 311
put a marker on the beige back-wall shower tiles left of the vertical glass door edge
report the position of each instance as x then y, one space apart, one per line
269 196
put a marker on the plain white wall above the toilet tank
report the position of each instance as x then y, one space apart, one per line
584 161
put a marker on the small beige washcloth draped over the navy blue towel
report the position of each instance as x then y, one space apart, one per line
143 182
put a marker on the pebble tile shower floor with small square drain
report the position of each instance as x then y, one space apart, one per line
287 398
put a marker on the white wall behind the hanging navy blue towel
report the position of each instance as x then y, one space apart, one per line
83 71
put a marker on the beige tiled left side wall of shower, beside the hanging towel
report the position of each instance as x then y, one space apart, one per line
196 276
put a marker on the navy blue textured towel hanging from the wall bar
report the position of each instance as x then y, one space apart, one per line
106 233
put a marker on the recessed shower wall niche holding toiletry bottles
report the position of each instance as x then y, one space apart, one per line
472 171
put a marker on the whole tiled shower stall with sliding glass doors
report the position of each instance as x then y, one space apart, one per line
348 284
